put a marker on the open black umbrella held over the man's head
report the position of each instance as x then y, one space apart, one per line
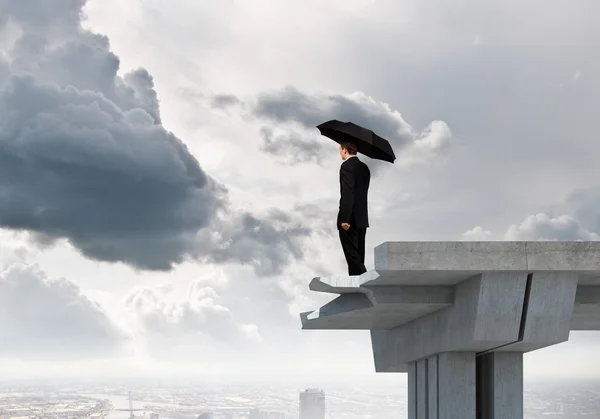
368 143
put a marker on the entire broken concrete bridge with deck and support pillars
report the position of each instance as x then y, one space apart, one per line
458 316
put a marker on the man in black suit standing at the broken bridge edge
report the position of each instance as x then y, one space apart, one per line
353 217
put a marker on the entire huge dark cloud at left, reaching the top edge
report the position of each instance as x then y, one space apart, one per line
83 154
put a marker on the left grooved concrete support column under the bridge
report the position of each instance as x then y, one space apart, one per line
443 387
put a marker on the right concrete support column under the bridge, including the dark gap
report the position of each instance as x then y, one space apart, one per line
500 385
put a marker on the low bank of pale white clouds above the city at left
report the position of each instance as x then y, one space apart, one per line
52 319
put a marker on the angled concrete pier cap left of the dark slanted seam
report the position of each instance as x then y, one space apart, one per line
486 315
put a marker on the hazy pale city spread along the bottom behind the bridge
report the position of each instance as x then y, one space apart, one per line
54 399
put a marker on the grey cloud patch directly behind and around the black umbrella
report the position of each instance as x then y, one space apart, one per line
287 110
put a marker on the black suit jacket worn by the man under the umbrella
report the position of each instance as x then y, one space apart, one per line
355 177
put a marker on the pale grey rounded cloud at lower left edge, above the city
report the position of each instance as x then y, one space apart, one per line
51 319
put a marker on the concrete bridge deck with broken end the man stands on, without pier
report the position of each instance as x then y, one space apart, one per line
417 279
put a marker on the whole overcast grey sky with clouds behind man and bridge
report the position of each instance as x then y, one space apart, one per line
165 198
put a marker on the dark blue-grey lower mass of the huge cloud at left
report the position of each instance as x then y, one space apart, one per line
121 188
